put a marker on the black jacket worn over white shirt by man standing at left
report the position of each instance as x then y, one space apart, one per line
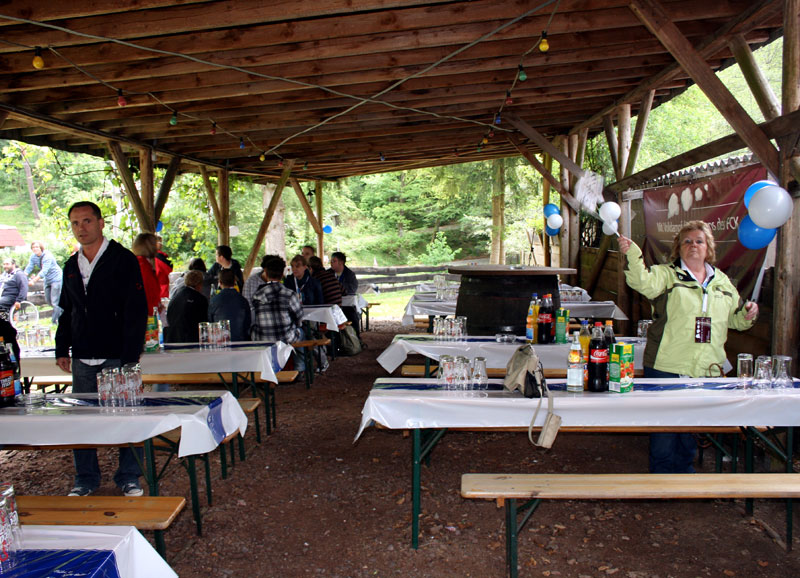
108 319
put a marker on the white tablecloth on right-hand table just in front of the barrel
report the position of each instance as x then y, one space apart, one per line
552 356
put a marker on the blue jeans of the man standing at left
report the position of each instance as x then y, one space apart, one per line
87 470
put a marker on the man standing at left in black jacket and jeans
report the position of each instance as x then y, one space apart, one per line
103 322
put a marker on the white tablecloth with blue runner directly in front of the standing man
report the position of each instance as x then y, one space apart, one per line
67 423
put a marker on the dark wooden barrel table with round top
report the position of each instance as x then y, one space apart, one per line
495 298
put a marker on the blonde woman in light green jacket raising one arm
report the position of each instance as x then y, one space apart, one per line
694 304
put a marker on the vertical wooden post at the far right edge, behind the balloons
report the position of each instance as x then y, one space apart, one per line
785 336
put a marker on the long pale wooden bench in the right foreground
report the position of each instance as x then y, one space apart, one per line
509 488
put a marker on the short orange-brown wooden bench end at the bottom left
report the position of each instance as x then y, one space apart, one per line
145 512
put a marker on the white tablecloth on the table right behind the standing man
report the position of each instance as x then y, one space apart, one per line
261 357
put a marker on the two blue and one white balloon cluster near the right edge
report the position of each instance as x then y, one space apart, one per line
768 207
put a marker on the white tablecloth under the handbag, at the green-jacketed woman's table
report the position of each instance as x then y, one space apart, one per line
405 403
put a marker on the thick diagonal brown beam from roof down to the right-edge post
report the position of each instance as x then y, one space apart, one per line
661 26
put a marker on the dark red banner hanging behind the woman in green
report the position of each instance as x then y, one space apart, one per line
718 201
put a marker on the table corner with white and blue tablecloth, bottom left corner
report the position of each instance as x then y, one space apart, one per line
109 551
